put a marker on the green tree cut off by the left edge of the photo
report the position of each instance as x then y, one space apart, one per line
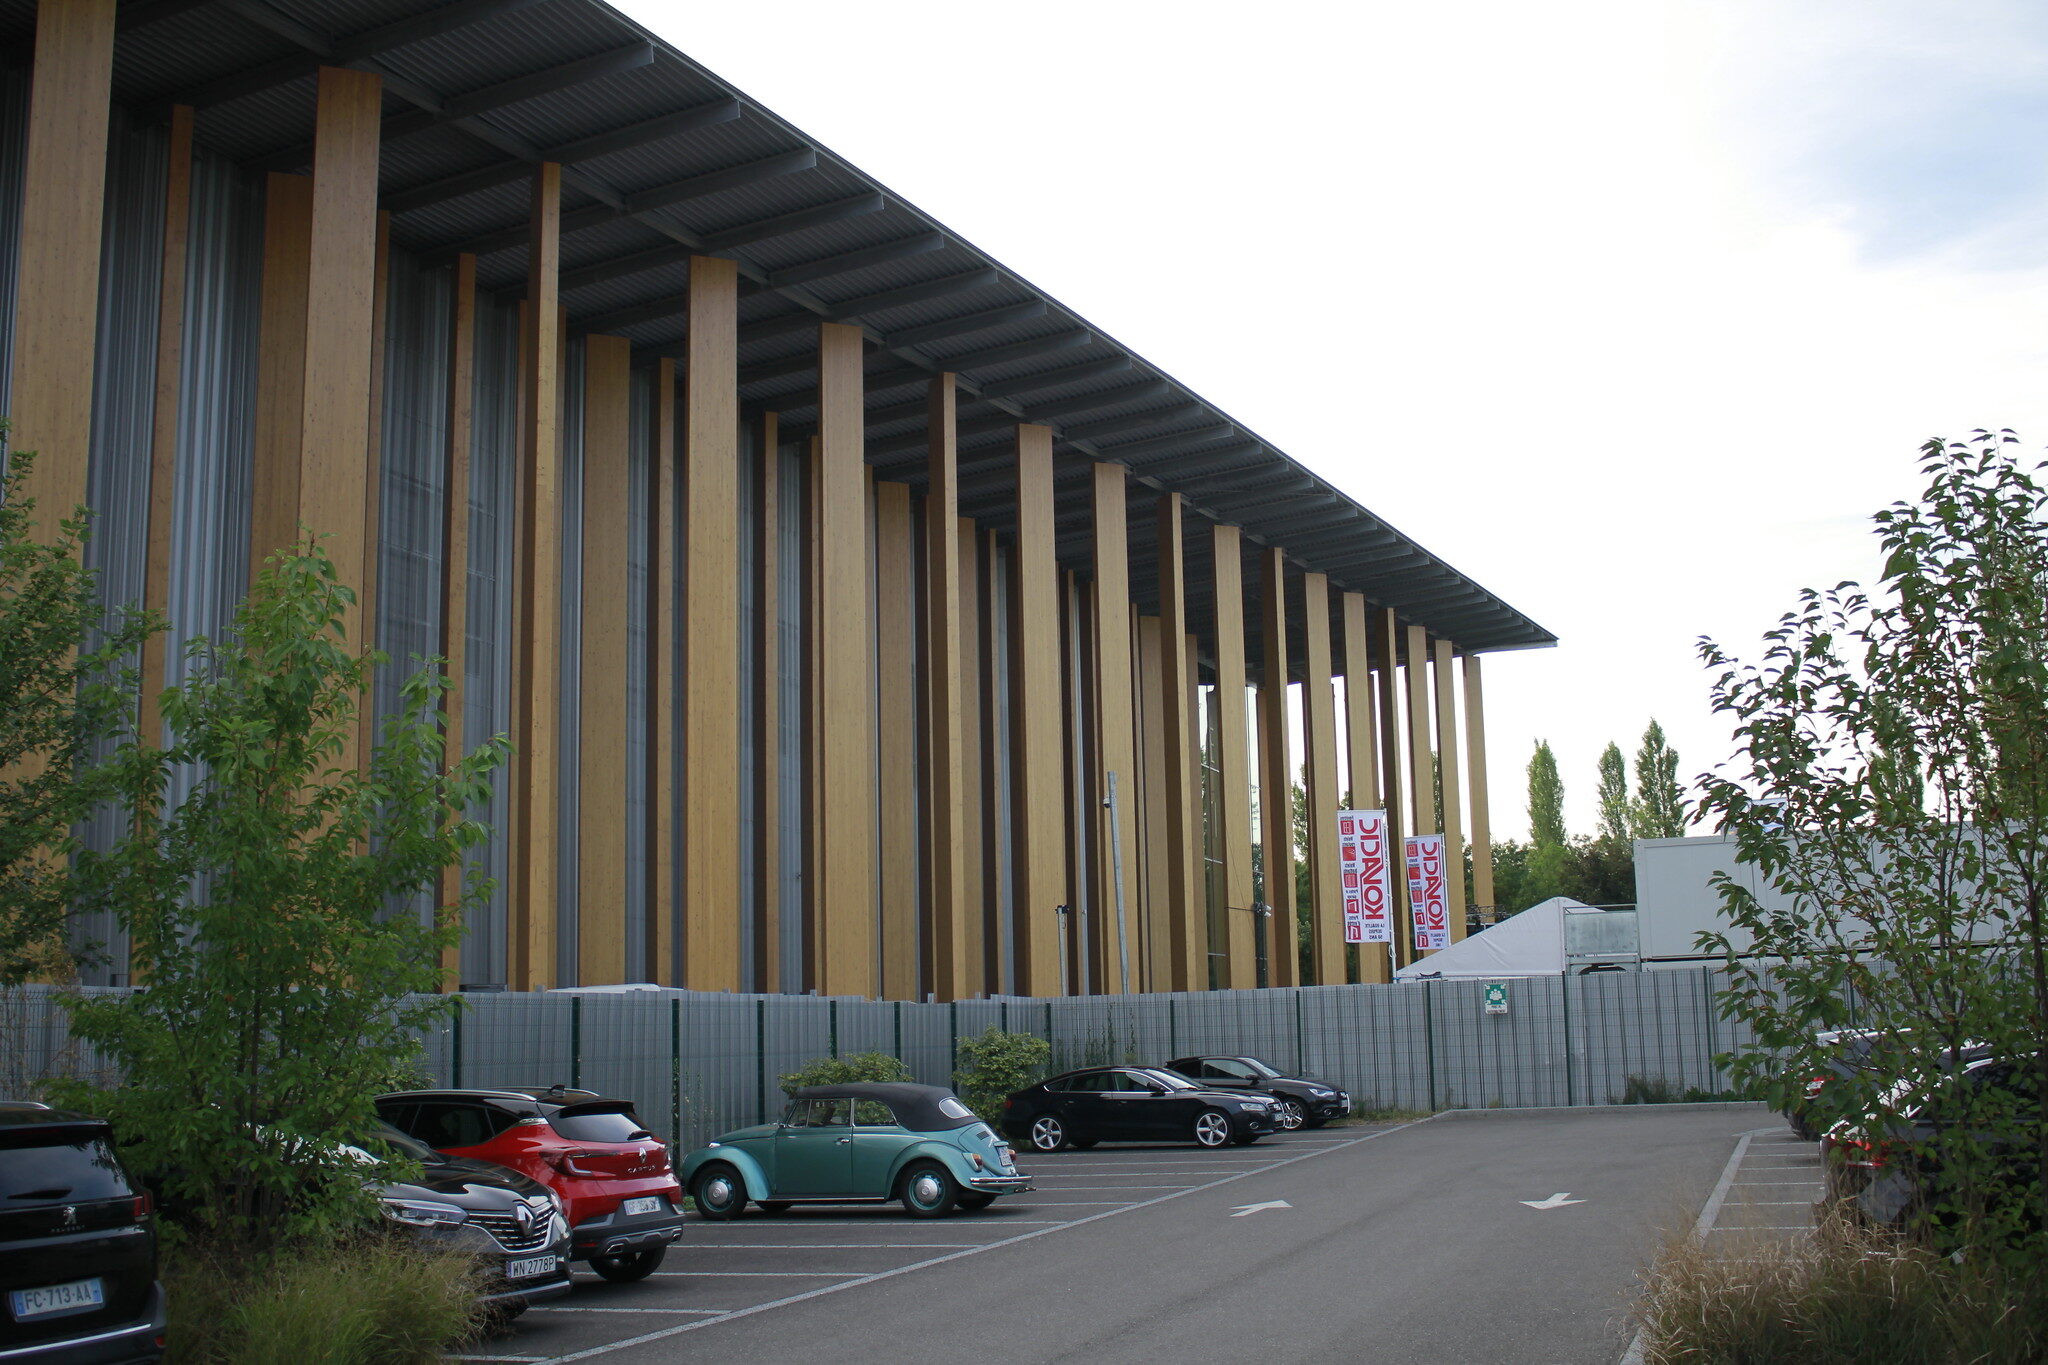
67 699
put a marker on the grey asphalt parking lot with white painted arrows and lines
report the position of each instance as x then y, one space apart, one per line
1504 1237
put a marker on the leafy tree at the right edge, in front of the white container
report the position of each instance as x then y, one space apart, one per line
1891 789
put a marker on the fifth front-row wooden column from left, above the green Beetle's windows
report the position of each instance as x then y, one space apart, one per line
847 779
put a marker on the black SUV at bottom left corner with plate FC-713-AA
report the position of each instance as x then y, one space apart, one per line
77 1245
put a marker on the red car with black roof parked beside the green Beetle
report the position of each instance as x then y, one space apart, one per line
615 1180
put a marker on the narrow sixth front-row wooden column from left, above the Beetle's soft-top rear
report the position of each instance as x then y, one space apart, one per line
945 789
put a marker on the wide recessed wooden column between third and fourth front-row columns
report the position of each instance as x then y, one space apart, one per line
601 865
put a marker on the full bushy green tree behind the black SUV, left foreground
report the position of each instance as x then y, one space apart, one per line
263 916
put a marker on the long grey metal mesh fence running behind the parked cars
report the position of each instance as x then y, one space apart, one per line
706 1063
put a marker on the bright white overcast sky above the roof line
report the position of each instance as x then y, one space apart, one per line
1633 310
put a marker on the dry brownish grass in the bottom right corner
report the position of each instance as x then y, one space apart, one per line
1844 1296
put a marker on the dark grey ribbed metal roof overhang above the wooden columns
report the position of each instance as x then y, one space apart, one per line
665 161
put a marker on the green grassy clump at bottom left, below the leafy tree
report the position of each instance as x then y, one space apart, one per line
372 1301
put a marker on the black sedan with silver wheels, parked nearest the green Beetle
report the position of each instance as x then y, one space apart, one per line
1134 1104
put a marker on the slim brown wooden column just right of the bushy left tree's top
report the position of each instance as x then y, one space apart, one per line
456 556
